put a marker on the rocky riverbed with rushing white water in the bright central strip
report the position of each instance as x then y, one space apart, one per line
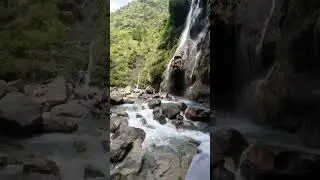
155 135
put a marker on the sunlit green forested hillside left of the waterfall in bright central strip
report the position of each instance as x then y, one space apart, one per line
143 38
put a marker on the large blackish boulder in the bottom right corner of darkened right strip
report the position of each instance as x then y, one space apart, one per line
263 161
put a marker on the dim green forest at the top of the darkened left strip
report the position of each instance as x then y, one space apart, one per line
40 39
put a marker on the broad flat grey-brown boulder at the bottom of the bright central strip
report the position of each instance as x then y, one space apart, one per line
163 162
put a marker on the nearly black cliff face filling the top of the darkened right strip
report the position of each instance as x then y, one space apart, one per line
265 58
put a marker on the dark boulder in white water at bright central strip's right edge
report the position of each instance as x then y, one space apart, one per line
197 114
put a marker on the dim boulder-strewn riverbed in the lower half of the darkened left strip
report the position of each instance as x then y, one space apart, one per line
52 131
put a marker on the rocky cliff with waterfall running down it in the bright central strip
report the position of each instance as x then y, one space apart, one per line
188 71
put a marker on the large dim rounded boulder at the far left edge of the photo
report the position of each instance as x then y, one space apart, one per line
19 114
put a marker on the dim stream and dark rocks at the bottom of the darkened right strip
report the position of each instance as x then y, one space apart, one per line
241 150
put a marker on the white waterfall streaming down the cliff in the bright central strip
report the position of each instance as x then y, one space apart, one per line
188 51
